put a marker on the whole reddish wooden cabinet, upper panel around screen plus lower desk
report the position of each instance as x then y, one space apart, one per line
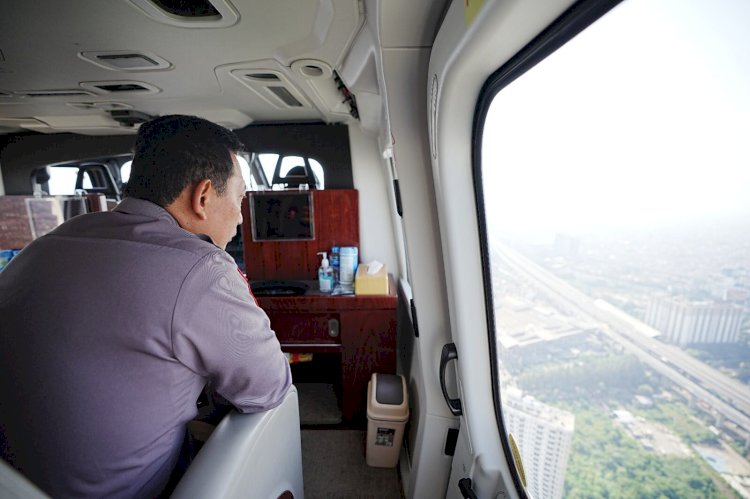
358 330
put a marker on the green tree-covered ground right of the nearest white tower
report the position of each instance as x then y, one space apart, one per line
605 462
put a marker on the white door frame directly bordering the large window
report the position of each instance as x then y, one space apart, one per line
466 52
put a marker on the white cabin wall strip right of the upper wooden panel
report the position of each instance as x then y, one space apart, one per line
372 180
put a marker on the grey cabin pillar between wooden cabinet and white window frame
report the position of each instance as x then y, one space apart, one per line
405 69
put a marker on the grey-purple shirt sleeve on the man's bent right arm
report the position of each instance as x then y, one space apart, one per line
219 332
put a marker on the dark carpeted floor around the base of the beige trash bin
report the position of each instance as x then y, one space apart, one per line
333 464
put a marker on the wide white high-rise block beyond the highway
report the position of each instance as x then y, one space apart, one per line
687 322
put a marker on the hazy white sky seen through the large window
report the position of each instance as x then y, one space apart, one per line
643 119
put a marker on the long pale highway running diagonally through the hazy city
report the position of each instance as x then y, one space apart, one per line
727 397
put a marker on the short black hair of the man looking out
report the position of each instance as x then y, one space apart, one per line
176 151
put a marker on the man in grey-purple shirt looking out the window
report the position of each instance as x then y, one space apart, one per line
111 325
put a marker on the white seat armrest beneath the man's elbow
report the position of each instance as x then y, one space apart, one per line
249 455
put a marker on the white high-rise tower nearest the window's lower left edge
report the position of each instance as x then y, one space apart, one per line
544 435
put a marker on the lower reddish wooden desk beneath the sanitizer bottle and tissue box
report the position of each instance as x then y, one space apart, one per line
362 329
